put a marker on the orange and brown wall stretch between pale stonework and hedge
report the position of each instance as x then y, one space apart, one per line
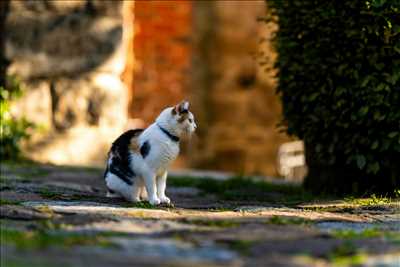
207 52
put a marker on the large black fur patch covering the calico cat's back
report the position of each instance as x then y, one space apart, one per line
120 163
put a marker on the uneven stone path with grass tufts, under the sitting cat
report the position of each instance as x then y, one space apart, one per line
58 216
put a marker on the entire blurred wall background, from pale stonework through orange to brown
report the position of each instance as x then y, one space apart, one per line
90 70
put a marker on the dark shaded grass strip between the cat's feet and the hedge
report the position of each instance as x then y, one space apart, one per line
245 189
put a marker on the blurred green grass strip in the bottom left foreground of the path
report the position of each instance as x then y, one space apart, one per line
42 239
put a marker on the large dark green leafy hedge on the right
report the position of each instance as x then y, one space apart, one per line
339 81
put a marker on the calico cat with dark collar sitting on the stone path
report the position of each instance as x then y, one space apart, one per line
139 159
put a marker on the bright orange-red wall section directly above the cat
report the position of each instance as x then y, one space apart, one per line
162 54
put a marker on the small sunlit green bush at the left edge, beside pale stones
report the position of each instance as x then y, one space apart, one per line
12 130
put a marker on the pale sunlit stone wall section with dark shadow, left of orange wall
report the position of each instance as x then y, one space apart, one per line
69 56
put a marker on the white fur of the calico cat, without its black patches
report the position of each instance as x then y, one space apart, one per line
152 171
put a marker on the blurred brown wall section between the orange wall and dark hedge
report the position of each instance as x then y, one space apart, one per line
241 133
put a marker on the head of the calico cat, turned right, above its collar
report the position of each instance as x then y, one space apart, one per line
178 119
